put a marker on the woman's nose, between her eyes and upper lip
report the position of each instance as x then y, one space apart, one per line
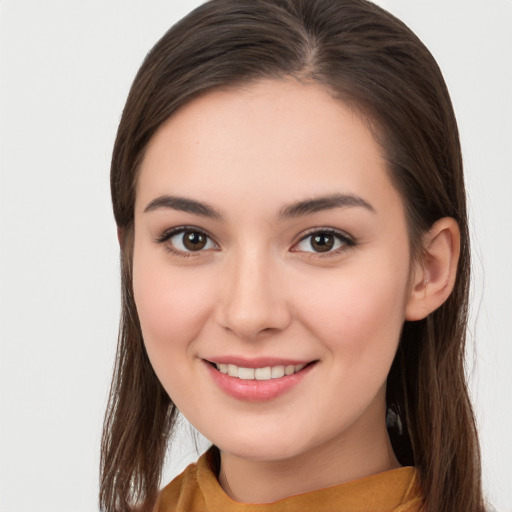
253 302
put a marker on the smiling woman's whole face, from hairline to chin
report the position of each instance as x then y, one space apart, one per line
271 244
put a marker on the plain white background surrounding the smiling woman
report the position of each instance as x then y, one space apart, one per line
66 67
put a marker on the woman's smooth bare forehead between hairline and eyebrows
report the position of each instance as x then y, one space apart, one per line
279 139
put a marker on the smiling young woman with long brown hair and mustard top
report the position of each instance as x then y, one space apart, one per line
287 184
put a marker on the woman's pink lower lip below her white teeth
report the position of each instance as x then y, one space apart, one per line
257 390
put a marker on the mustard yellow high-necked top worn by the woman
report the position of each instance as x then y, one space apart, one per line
197 490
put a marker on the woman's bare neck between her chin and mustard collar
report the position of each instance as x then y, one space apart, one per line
355 454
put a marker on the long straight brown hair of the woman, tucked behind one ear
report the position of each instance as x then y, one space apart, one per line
373 62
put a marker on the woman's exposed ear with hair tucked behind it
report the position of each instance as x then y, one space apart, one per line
434 273
